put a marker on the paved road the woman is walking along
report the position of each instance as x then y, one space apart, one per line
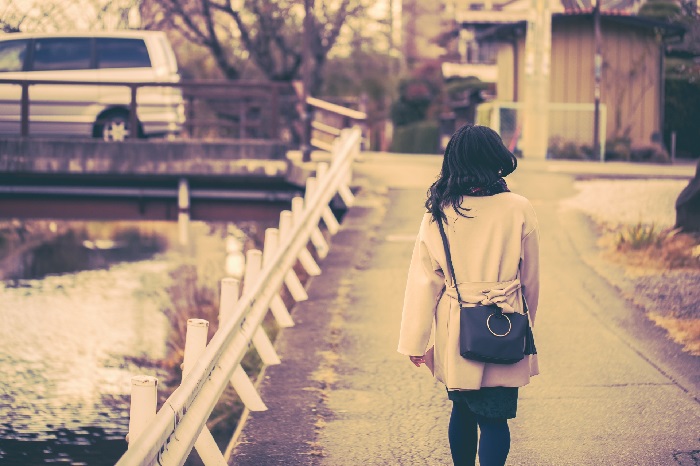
612 390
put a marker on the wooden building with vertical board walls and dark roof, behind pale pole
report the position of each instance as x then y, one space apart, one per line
632 86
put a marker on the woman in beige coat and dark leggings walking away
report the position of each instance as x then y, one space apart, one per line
493 238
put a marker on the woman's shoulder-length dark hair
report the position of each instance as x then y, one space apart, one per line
474 157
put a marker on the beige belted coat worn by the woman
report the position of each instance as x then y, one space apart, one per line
497 249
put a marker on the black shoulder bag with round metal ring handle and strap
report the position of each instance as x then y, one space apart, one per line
486 334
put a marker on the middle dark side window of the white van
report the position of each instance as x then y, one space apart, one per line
62 54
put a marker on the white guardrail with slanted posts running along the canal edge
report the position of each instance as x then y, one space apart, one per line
168 436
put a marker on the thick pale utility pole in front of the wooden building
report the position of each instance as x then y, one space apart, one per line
538 45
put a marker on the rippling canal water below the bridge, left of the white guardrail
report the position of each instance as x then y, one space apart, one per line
69 345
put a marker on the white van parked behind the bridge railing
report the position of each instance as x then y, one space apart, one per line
90 110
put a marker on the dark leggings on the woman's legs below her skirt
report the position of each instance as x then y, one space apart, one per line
494 443
